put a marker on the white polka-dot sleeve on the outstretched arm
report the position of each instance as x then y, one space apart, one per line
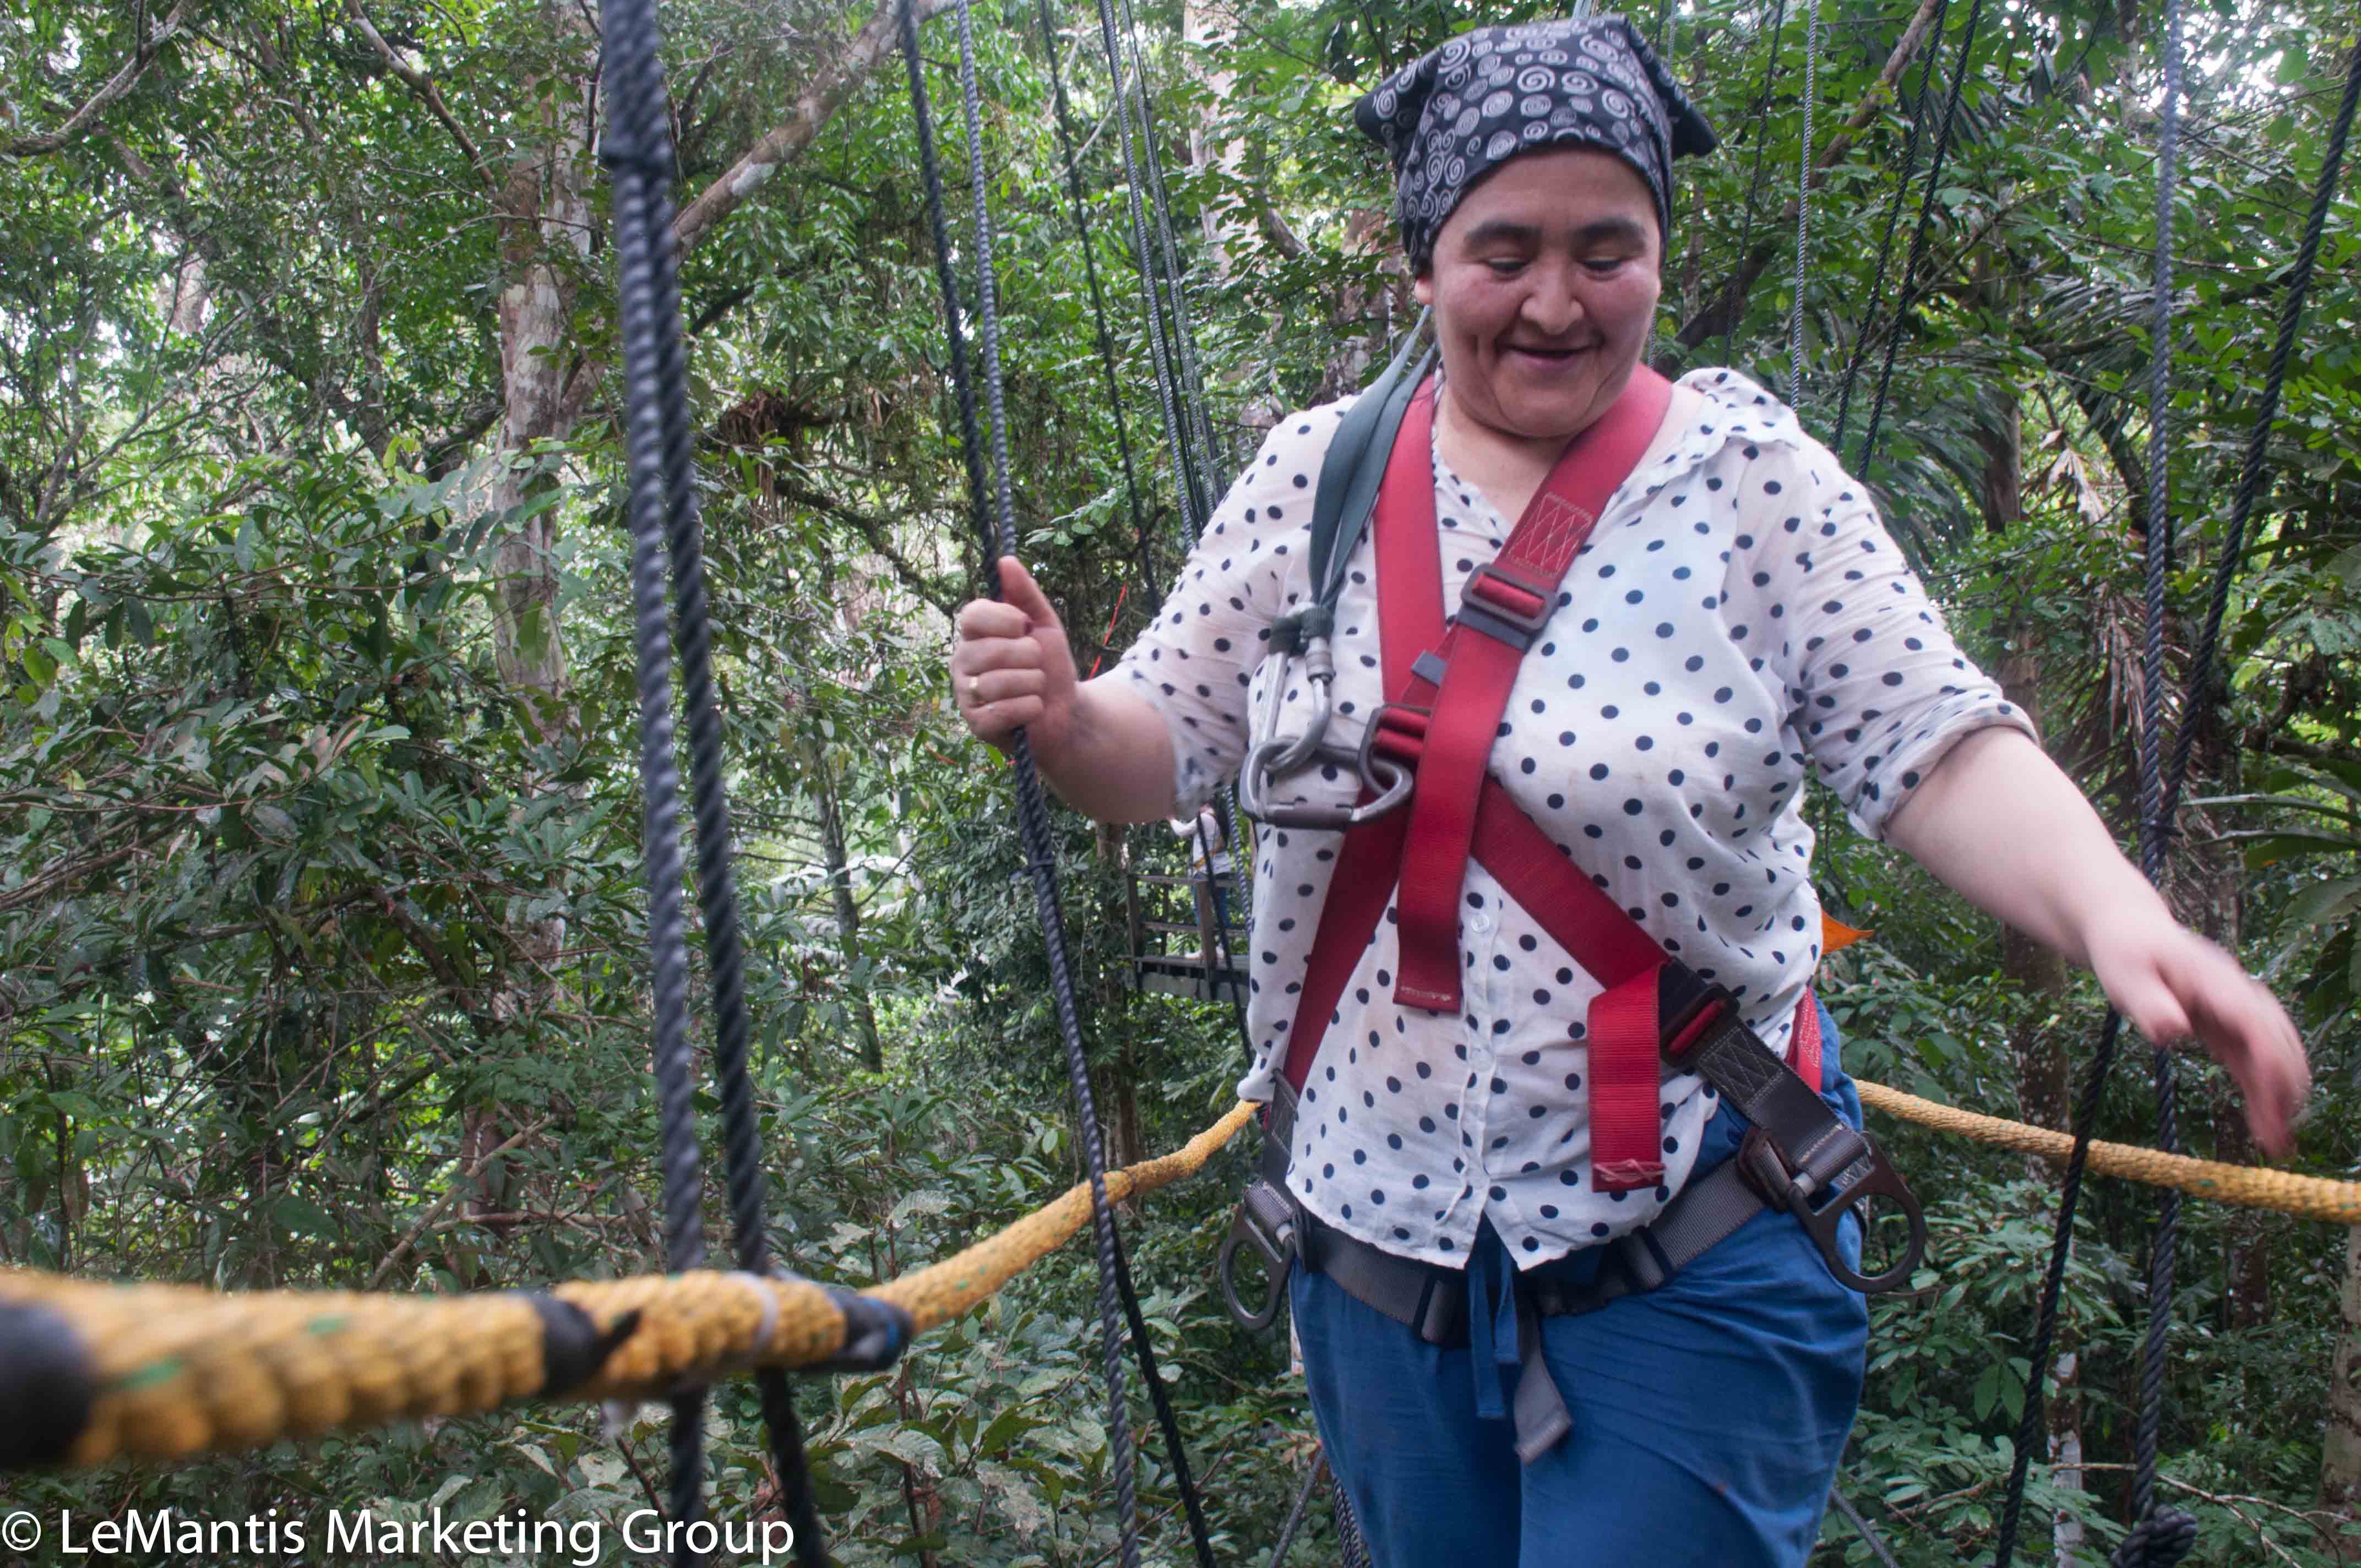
1876 686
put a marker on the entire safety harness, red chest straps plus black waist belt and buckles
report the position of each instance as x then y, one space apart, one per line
1448 686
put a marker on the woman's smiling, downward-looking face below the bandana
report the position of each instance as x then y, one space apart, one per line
1545 285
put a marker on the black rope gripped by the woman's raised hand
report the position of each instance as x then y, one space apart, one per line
1033 809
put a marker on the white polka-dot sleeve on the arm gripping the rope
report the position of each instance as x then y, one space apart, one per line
1198 658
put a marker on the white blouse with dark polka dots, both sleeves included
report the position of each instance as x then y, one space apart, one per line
1737 625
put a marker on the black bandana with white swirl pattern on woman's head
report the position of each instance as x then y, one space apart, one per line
1484 98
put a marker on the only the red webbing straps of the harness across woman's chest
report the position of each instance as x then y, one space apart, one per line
1448 691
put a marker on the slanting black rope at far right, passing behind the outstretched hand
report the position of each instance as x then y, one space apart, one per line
2159 1538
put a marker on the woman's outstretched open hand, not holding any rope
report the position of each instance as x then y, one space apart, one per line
2171 986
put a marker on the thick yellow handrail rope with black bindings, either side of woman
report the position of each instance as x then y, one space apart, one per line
93 1371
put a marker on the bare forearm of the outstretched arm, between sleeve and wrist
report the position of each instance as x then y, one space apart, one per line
2013 835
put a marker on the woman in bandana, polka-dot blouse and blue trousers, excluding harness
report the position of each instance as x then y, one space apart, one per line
1737 620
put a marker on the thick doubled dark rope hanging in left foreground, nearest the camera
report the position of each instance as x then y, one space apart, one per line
665 516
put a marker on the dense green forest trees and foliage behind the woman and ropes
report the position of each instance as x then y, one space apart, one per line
322 932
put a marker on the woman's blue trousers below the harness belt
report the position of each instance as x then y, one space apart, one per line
1711 1413
